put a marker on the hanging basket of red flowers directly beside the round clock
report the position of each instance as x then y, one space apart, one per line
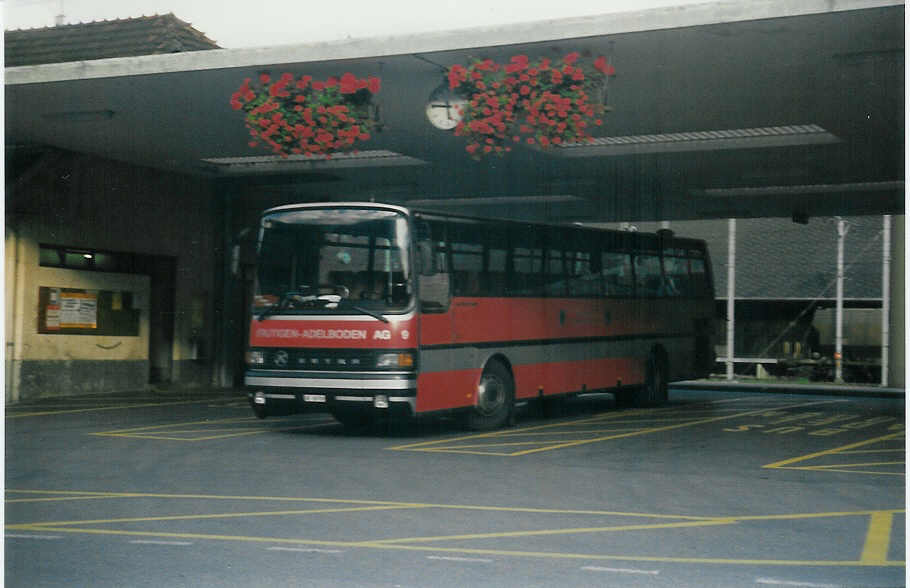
541 103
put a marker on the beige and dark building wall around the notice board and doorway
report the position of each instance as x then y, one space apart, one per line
75 200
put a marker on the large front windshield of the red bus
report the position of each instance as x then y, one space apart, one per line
333 260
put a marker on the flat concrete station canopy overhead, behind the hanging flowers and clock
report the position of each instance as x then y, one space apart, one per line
748 109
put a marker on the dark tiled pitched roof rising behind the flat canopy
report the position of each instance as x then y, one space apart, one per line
129 37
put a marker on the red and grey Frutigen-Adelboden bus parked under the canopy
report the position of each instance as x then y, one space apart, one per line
367 309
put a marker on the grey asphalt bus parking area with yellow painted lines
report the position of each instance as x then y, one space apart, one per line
715 488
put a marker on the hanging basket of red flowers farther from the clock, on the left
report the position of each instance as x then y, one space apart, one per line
306 116
